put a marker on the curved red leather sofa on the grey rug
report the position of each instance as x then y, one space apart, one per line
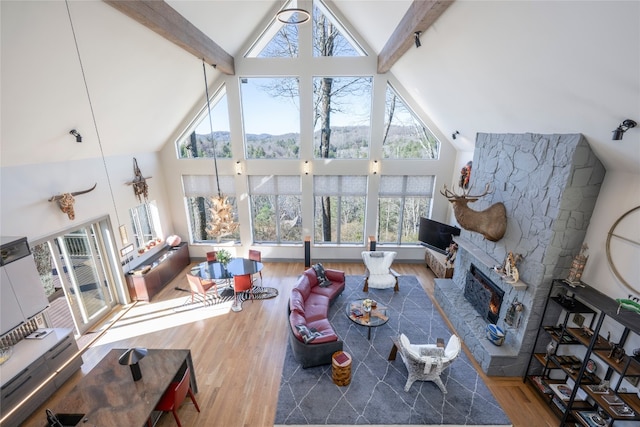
309 306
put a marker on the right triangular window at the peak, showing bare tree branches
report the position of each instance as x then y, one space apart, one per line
329 37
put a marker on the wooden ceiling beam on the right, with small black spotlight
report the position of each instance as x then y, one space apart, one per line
420 16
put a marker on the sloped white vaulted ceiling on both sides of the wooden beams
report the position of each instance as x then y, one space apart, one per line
485 66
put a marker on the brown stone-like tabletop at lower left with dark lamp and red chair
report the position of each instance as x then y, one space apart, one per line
108 396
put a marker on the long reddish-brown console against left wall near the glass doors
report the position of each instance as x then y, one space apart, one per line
165 265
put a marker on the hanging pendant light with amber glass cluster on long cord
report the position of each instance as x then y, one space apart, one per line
221 223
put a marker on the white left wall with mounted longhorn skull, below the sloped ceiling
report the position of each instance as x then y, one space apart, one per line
25 191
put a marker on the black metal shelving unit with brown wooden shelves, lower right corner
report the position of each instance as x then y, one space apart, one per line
566 366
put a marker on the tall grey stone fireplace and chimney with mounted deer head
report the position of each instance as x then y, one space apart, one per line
549 185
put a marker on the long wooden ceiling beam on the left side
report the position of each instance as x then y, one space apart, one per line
166 21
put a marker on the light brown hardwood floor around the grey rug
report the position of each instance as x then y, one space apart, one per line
238 357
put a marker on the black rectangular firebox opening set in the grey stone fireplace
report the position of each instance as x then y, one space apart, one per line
484 295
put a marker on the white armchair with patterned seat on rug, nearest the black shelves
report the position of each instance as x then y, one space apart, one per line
427 361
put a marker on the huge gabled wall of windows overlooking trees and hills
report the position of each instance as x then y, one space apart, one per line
313 143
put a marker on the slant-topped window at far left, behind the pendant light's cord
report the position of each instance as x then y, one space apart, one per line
198 141
